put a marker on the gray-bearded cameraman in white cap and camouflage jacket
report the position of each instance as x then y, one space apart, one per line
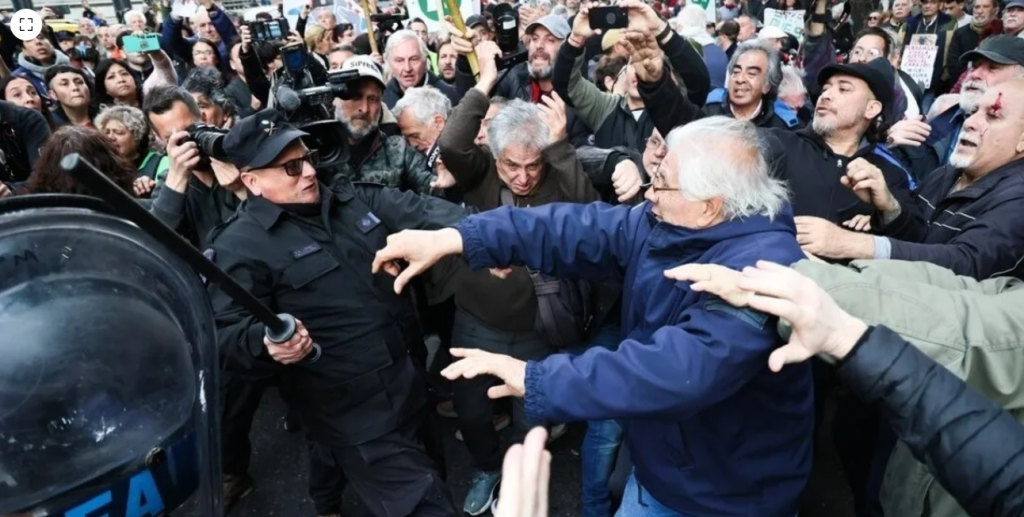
374 156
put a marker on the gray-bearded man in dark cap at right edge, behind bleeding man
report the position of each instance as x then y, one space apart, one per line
926 147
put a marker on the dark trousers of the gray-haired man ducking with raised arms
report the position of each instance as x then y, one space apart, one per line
471 396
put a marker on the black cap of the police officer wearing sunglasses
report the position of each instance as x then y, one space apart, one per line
258 141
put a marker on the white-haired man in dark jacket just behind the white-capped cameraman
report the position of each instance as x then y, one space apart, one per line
408 63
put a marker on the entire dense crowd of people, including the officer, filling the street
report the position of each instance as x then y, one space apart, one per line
651 230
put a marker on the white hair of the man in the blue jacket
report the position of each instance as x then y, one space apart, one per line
721 157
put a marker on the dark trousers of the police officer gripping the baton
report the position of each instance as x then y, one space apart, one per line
395 476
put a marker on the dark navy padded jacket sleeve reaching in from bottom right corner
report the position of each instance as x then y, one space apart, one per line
973 448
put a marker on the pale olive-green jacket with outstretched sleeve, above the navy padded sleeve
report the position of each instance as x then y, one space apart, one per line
974 329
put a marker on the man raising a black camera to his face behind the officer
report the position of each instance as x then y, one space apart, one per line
197 195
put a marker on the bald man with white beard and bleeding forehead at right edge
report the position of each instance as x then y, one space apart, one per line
972 207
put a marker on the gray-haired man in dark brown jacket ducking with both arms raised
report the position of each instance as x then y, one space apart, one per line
531 162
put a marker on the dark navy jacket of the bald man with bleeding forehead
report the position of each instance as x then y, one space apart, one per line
976 232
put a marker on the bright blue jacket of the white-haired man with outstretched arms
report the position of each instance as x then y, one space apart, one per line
712 432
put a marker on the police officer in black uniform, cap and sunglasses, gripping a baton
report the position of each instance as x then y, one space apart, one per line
308 250
